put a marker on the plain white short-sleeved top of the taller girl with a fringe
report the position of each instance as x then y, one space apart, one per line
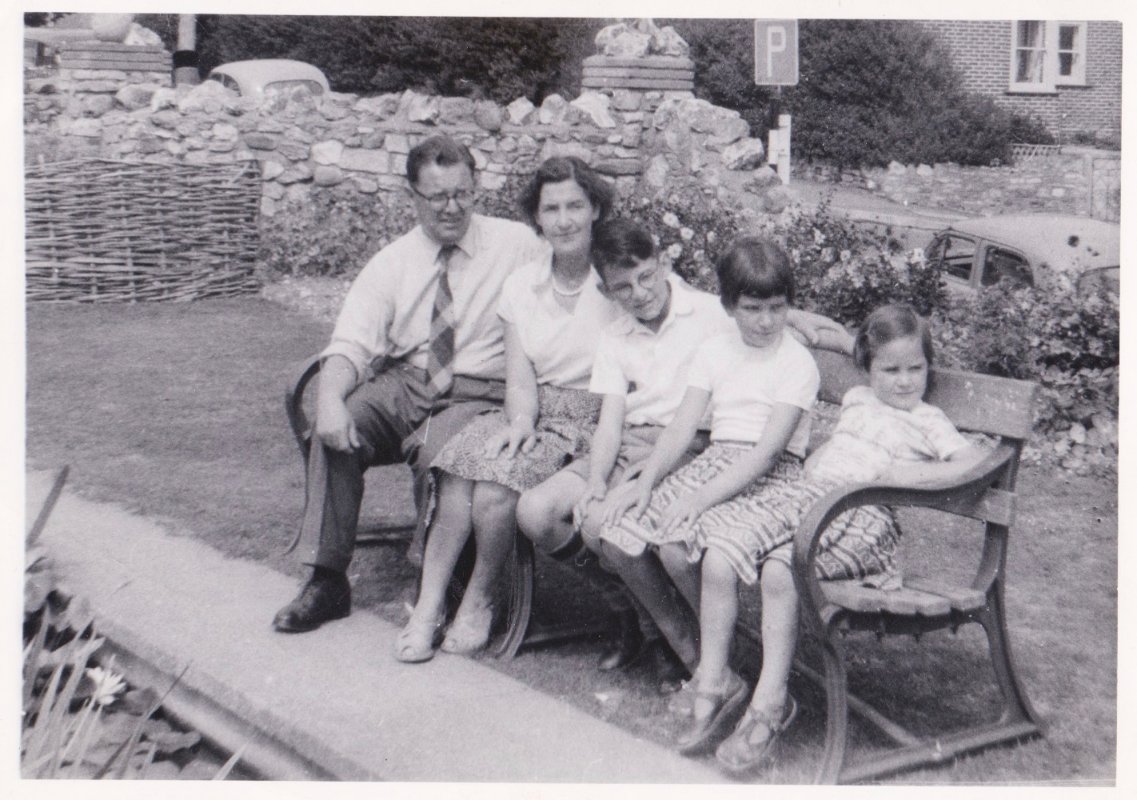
746 382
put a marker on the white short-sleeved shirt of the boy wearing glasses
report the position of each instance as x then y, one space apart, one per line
650 369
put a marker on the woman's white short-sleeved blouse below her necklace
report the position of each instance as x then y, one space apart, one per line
561 345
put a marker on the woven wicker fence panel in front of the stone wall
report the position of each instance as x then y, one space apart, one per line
104 231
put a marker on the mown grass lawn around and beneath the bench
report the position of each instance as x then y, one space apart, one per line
176 412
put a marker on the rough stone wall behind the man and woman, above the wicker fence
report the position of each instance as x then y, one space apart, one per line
302 141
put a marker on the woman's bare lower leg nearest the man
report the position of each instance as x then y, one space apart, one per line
447 537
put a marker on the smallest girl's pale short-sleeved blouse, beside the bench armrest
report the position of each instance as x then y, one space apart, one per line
872 436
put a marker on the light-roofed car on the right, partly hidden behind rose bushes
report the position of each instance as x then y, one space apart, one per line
1022 248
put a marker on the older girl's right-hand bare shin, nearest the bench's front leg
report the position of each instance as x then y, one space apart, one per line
779 638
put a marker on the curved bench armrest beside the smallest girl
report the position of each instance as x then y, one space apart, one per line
964 495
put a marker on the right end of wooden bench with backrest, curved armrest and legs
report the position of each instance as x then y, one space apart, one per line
1000 409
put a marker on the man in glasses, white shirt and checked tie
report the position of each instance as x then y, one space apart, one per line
417 353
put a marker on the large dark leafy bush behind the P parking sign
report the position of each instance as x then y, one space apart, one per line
872 91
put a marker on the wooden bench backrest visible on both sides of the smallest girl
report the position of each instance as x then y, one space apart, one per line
982 404
